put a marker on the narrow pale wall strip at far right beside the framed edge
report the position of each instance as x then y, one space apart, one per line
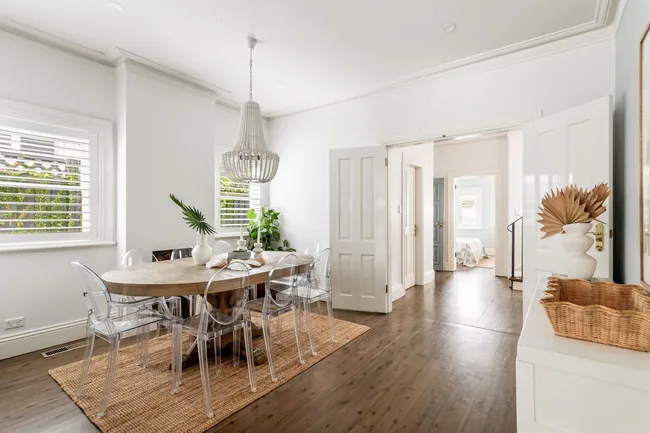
627 262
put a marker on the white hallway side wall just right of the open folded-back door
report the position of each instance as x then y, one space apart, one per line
421 157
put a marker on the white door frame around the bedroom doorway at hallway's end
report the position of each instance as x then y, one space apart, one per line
500 216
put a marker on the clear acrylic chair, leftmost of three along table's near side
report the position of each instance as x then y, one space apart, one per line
213 324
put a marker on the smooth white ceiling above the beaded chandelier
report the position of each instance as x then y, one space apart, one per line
311 52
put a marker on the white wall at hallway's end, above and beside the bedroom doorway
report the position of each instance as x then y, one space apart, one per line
471 158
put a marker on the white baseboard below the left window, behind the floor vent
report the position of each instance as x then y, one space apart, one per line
37 339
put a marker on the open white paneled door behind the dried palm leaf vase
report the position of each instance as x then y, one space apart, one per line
570 147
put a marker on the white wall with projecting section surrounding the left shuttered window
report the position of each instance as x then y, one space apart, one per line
166 138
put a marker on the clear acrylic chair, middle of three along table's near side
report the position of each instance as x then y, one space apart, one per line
278 300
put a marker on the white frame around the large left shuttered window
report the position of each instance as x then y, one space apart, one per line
102 175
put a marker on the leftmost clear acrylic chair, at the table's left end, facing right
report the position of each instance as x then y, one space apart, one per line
103 322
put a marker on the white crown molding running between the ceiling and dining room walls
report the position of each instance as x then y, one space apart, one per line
607 17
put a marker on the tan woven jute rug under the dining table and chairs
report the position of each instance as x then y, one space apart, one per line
141 400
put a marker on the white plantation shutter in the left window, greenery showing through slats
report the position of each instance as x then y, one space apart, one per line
44 183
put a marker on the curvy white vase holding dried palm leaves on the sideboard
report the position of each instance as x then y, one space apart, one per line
577 242
